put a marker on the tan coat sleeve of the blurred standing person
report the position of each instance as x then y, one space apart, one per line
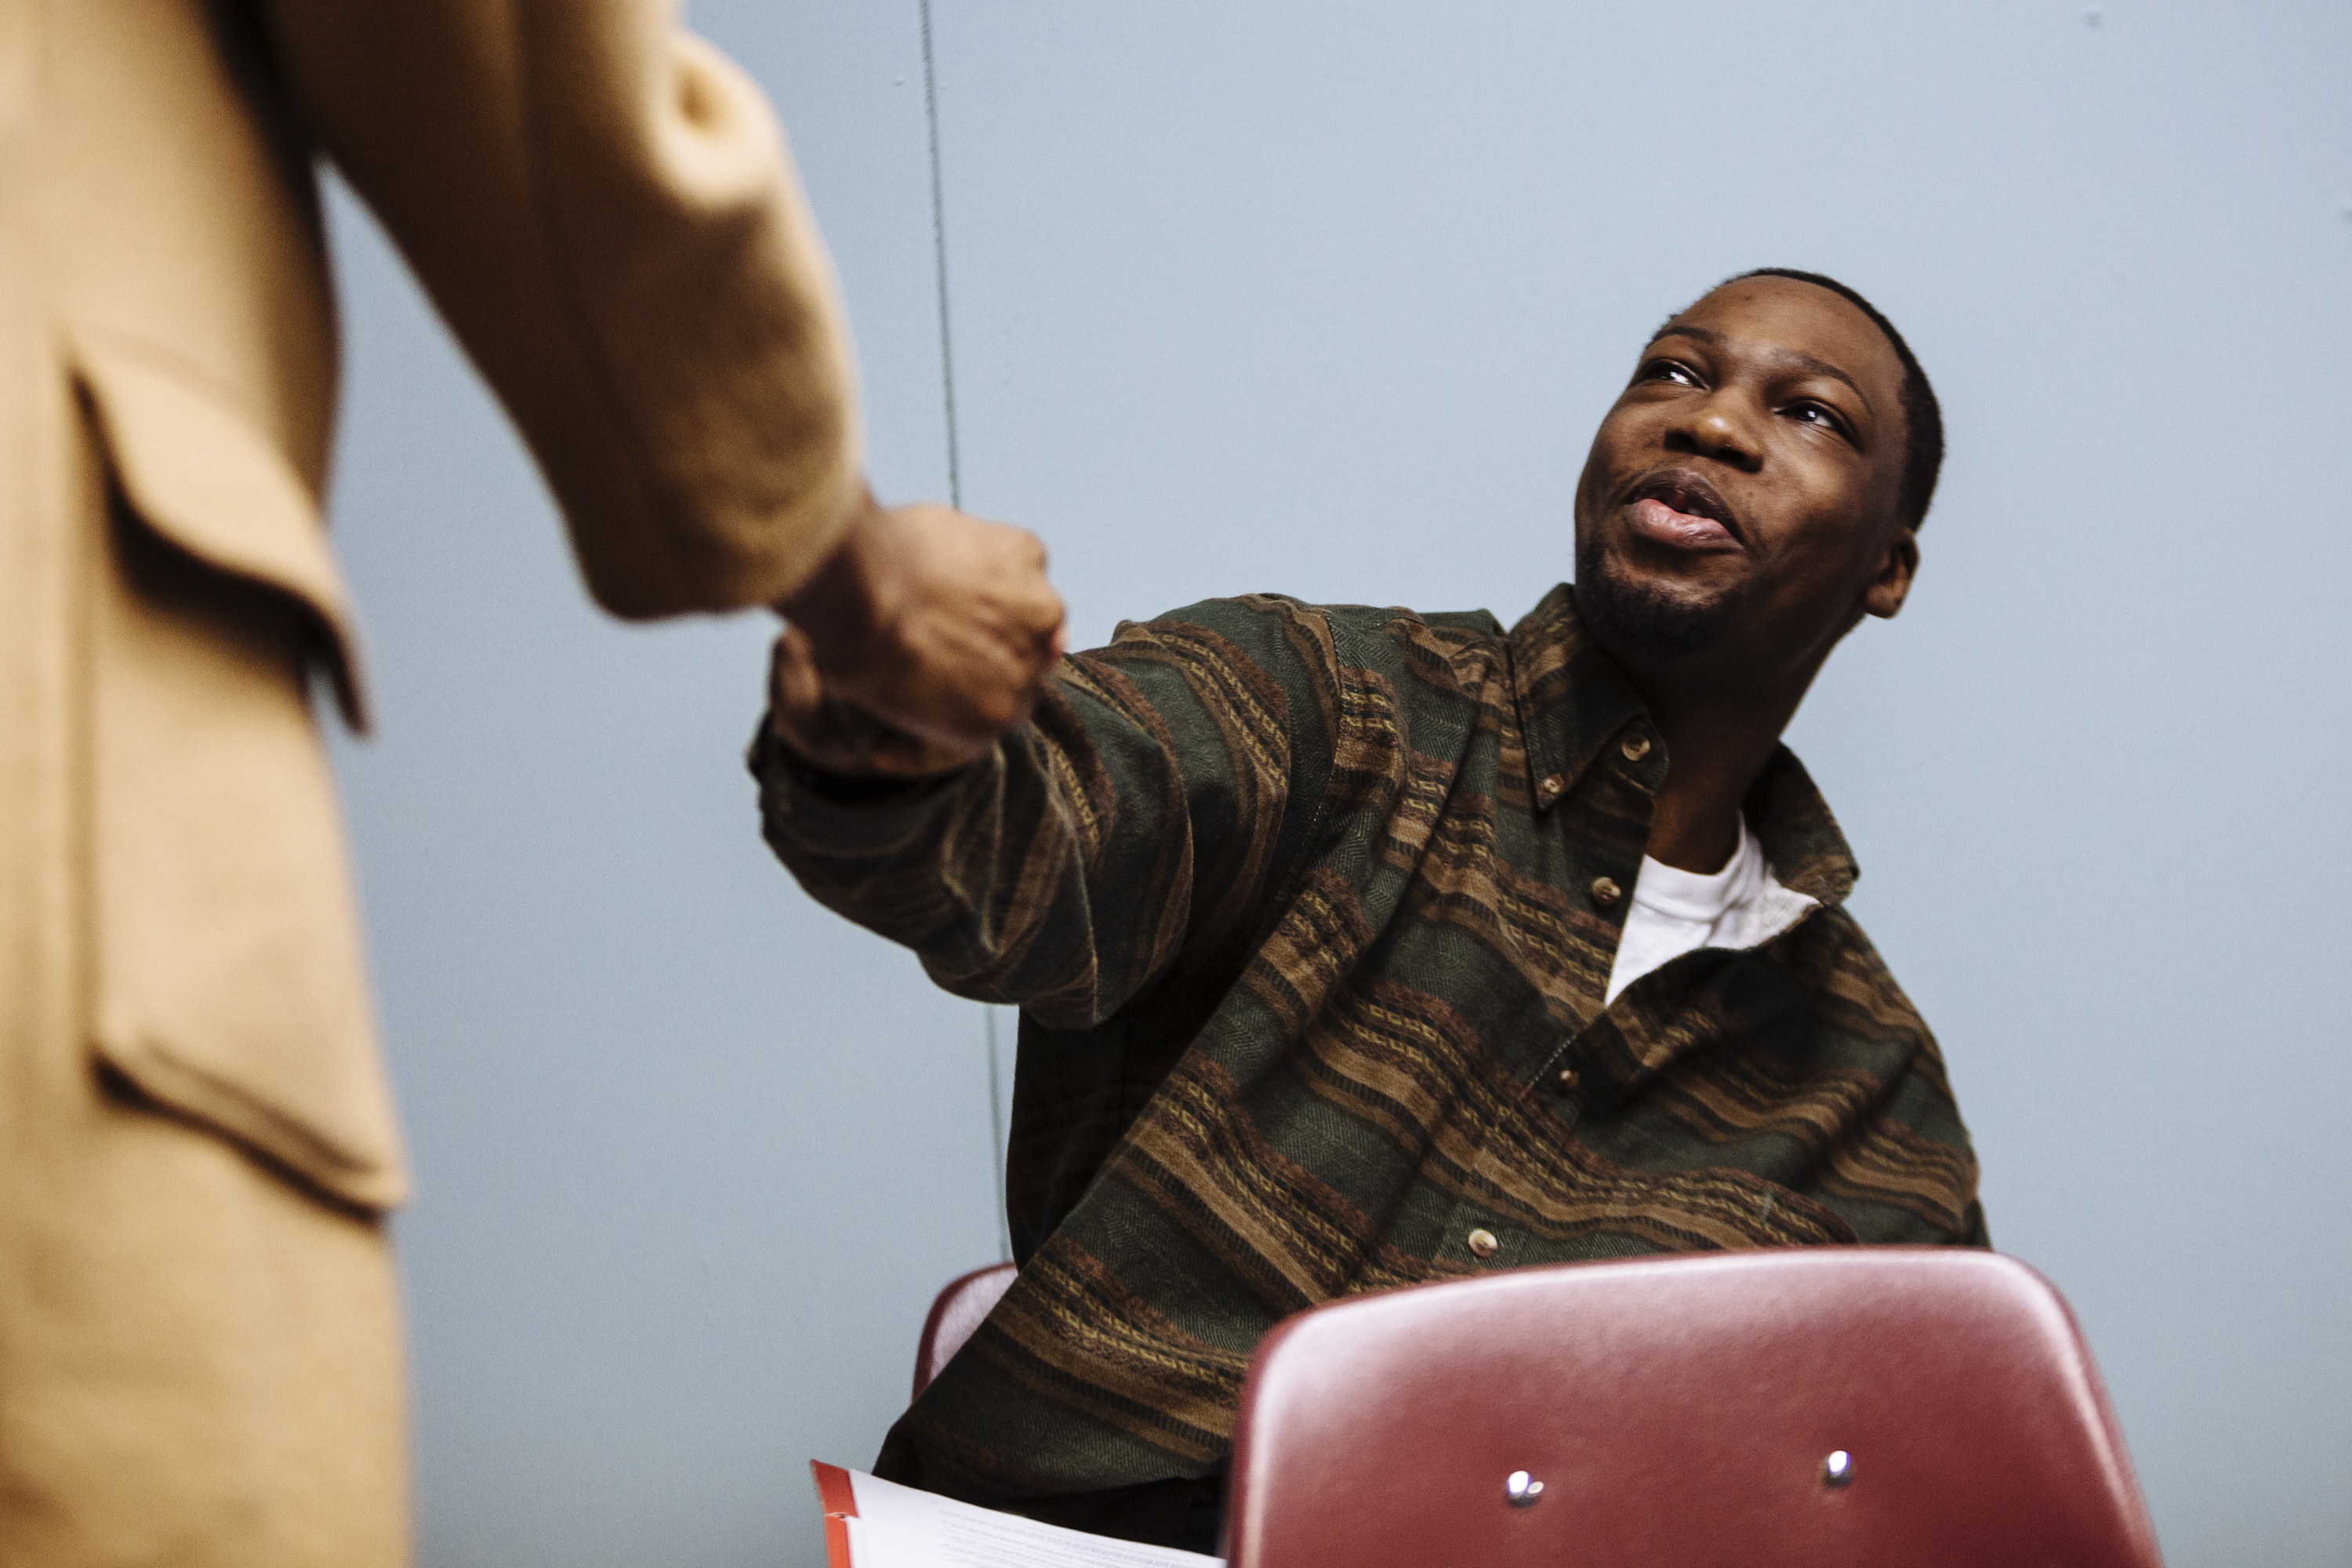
608 217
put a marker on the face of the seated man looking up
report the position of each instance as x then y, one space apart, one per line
1737 511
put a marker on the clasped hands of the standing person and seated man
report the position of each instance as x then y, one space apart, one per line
916 645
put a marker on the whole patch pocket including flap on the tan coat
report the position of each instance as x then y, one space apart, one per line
227 977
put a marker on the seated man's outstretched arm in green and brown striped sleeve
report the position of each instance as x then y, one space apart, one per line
1135 817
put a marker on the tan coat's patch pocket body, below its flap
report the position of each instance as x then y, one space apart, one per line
229 984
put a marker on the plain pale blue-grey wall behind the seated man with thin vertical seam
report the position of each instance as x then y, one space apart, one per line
1325 300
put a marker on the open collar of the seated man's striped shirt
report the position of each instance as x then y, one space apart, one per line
1575 699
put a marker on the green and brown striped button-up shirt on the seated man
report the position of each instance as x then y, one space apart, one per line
1299 911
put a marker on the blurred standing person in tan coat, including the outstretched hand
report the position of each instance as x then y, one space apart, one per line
199 1334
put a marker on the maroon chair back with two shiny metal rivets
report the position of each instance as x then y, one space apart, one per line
1784 1409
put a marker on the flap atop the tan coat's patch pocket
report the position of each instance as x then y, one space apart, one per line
199 474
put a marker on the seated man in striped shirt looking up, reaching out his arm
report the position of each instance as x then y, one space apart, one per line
1361 949
